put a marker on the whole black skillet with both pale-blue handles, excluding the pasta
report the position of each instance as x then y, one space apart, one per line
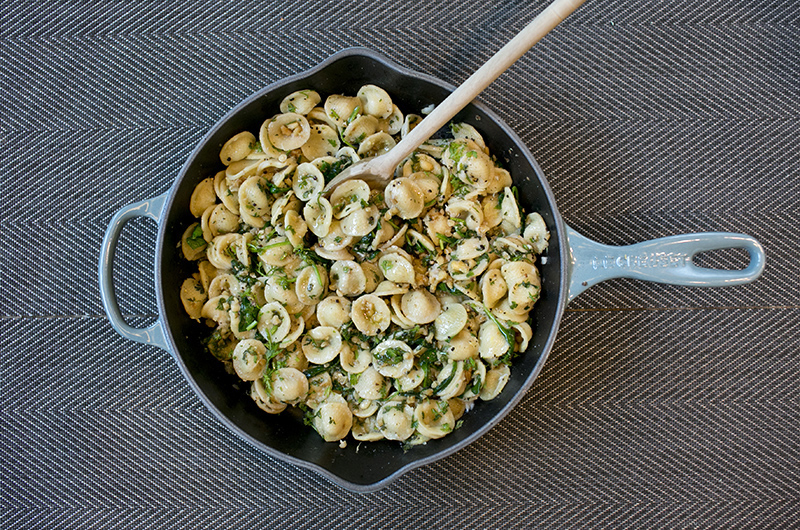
572 263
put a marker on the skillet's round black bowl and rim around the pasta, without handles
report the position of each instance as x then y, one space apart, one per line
366 466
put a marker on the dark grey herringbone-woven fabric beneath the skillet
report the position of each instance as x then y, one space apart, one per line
660 407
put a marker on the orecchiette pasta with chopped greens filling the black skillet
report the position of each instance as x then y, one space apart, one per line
382 314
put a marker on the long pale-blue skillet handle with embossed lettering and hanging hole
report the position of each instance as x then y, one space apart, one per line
663 260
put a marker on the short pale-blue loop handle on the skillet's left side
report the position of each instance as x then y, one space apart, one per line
154 334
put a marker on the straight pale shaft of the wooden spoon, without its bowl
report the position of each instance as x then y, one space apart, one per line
483 77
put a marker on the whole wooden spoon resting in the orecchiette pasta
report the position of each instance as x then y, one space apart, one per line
379 170
